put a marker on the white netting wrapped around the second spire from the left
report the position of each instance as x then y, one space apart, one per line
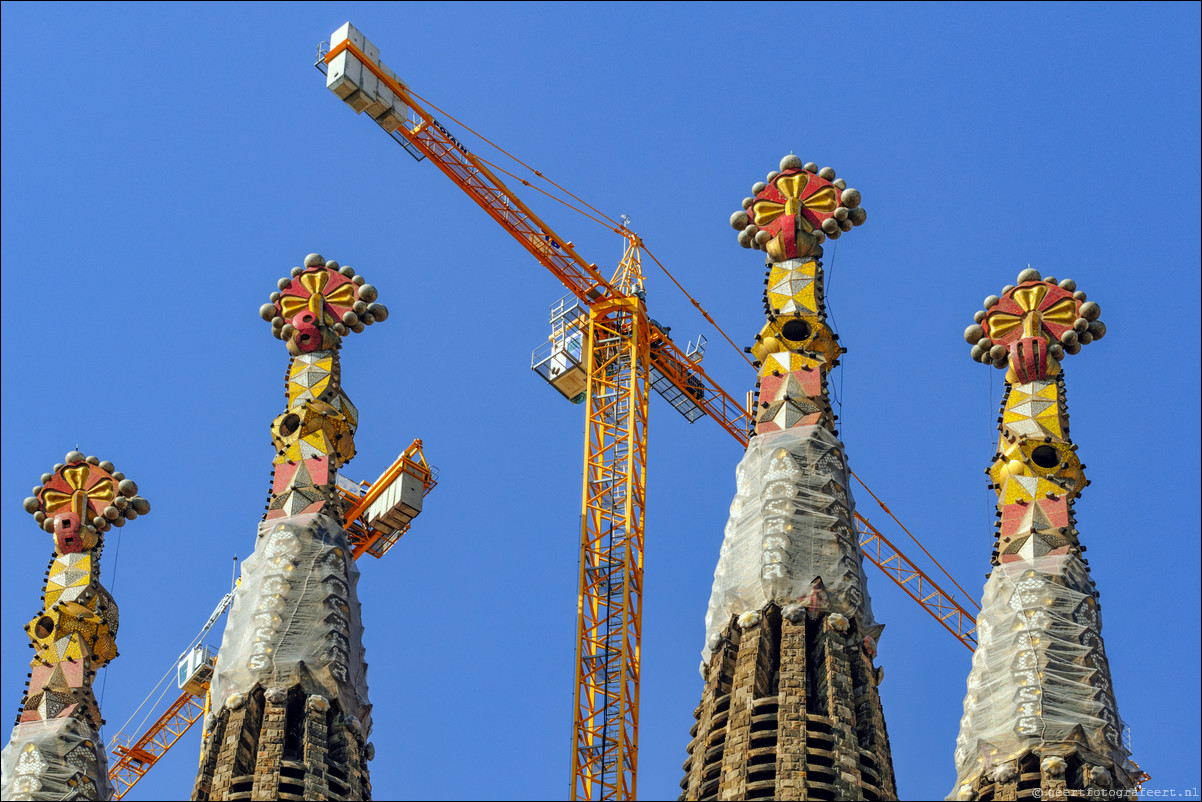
296 604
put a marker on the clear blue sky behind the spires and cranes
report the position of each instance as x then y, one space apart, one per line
164 165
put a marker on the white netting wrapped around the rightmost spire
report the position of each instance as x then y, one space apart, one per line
1040 674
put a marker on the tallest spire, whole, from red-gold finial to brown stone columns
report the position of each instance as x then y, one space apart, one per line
790 709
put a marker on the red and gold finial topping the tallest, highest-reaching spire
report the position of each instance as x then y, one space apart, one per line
796 210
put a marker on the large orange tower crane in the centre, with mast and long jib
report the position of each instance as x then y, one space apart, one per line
608 354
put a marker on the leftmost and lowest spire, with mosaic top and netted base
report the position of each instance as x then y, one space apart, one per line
56 752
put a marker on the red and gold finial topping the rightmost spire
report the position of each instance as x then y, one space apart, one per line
1032 325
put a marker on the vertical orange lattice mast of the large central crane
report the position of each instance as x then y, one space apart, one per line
605 751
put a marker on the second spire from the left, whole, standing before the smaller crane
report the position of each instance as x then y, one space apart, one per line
290 714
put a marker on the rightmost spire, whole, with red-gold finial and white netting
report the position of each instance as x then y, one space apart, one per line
1040 716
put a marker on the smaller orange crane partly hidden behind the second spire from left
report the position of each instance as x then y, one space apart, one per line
378 515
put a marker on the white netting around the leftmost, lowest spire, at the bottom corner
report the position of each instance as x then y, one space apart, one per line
58 759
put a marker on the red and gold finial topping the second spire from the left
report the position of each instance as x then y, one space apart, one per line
319 305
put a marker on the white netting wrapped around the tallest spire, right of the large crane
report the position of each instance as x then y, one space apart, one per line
792 524
